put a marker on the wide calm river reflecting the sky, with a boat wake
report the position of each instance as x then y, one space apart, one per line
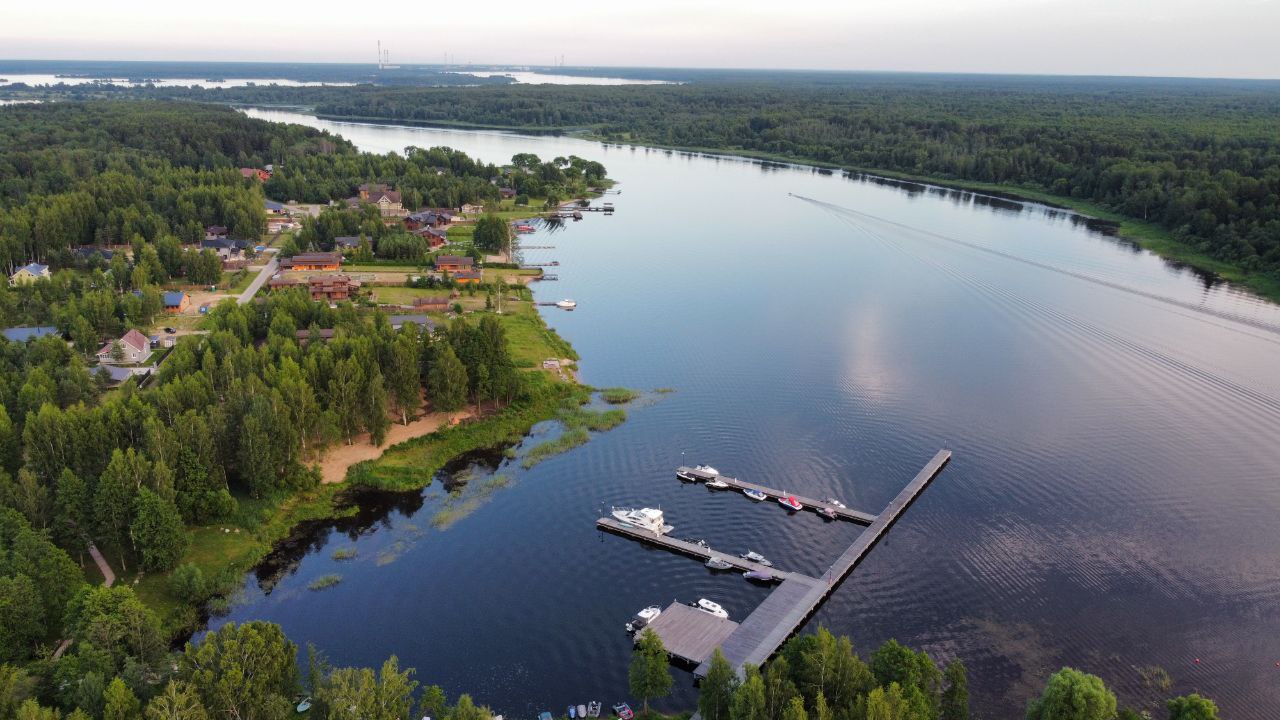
1113 503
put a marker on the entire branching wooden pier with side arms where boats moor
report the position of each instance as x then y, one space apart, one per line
792 603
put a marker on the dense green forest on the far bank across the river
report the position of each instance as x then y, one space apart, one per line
1197 158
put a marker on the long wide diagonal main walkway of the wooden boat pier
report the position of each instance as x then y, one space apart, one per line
790 605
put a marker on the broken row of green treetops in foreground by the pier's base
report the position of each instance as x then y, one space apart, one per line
820 677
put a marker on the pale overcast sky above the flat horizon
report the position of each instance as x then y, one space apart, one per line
1151 38
